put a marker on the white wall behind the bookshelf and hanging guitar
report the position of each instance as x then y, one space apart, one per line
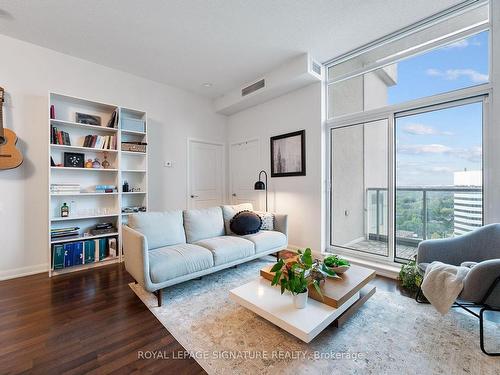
28 72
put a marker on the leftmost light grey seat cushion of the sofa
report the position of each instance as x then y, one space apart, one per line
169 262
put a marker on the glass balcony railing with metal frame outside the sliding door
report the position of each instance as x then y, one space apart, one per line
424 212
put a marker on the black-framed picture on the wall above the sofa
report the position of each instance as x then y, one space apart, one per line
288 154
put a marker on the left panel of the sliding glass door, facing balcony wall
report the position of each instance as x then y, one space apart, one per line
359 162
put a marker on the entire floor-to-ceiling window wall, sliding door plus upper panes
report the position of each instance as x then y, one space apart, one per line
406 137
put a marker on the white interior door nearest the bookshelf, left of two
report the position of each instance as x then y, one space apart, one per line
206 174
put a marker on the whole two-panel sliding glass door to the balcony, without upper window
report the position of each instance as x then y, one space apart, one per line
414 175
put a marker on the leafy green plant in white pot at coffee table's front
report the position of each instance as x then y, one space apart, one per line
296 276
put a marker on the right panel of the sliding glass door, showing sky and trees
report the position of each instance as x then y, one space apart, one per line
439 174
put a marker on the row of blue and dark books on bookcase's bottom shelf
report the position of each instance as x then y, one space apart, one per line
83 252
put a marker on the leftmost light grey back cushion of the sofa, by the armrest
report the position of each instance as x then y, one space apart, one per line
160 228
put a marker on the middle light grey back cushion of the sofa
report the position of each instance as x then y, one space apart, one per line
203 223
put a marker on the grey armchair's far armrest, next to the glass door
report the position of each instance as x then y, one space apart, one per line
450 250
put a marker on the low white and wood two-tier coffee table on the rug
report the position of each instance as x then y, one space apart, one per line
347 294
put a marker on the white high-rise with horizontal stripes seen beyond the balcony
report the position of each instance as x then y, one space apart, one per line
468 206
